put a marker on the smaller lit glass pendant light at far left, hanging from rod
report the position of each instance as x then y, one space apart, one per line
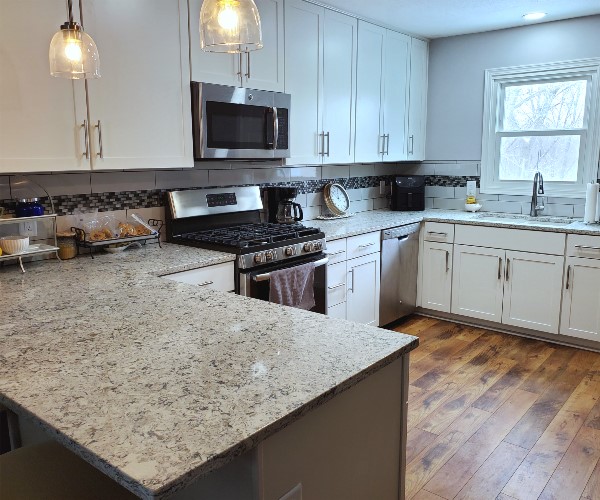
73 53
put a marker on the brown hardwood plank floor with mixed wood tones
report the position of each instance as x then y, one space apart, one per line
495 416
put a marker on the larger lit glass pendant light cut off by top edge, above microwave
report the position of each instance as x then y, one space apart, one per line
231 26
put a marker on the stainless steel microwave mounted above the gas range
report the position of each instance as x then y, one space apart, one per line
232 122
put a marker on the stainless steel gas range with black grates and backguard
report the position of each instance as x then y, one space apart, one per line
228 220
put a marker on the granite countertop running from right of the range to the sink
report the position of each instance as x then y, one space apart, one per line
366 222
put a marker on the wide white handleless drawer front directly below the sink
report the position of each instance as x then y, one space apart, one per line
511 239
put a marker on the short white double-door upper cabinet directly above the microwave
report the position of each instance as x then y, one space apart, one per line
262 69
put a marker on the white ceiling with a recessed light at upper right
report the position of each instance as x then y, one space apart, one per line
439 18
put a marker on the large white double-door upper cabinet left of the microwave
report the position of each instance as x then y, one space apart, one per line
137 115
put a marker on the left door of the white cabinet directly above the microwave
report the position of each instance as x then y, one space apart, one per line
210 67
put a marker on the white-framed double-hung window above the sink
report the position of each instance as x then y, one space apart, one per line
546 118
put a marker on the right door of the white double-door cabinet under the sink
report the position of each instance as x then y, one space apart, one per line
532 291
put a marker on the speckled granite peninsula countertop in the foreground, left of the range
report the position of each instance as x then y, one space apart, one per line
157 382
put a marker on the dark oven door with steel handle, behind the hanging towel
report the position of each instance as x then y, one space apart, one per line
255 283
